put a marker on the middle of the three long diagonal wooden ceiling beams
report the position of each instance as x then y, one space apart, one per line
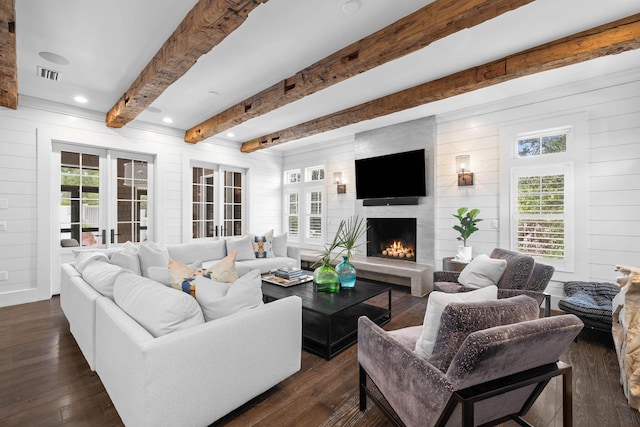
409 34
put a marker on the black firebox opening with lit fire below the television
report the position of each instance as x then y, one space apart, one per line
393 238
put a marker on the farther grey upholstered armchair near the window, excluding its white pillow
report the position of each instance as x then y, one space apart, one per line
522 276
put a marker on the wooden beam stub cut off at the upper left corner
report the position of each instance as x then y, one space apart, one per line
8 67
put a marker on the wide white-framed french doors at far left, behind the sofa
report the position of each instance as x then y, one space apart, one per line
103 199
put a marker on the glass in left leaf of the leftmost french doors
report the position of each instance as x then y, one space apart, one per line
79 207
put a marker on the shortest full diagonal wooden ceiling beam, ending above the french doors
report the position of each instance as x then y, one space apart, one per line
205 26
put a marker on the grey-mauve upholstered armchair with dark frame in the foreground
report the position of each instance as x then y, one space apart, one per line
488 365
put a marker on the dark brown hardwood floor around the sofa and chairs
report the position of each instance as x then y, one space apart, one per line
45 380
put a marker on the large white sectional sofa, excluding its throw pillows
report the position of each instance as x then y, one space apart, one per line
193 375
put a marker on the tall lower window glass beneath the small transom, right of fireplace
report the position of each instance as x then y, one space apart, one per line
540 211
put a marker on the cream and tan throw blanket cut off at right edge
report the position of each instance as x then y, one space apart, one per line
626 333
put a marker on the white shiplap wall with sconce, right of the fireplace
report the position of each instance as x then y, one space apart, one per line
612 108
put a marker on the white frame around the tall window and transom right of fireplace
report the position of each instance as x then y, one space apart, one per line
576 184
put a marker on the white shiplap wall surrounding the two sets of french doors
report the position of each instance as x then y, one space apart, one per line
26 137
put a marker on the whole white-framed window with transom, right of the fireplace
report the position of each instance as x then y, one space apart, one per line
541 163
